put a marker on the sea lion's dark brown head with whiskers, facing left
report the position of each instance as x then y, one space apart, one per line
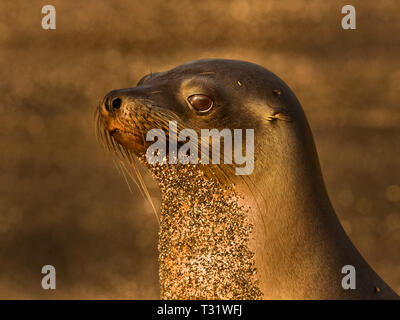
207 94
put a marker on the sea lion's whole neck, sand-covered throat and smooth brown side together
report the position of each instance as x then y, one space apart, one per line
274 235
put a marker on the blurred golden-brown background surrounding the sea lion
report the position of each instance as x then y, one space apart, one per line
62 202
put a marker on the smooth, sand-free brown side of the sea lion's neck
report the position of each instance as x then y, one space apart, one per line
300 247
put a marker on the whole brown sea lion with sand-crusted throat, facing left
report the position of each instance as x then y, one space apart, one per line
272 234
